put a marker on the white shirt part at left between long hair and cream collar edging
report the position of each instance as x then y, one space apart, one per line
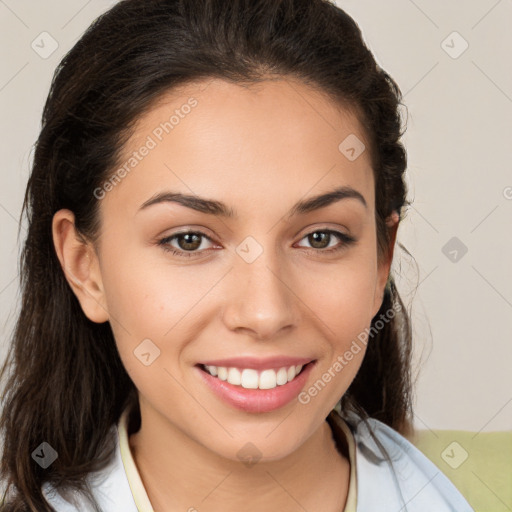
109 487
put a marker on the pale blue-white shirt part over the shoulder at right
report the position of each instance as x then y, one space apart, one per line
392 474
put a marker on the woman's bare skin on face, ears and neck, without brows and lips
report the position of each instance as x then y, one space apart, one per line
259 149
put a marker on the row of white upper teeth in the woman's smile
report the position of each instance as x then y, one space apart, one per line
249 378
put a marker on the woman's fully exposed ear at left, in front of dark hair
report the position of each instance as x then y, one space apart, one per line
80 265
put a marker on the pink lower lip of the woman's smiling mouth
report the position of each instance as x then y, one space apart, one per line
257 400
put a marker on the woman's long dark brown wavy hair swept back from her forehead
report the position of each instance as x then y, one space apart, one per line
65 382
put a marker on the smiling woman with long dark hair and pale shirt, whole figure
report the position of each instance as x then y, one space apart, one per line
208 320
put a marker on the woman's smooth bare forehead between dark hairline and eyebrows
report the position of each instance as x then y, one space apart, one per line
277 138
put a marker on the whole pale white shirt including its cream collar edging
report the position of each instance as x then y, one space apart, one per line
412 484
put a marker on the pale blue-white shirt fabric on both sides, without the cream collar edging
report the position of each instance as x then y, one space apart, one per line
410 483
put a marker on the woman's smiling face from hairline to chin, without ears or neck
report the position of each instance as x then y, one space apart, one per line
266 281
